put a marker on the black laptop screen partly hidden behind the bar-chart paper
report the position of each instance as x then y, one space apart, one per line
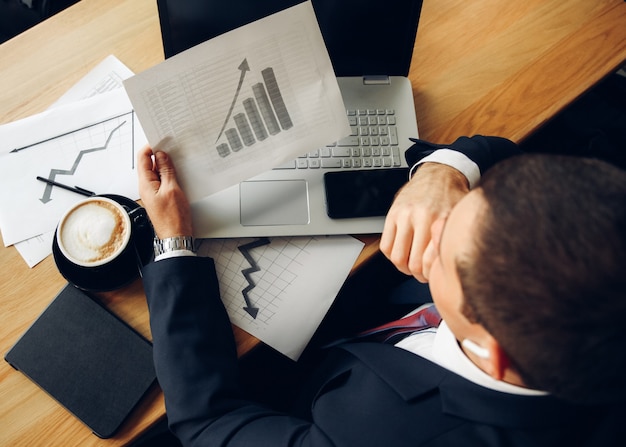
363 37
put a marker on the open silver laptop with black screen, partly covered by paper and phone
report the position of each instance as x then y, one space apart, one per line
370 46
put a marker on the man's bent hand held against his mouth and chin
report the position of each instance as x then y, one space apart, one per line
428 197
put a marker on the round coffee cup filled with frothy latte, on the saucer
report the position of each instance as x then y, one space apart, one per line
94 232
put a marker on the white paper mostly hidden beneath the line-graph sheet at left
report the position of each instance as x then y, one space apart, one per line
106 76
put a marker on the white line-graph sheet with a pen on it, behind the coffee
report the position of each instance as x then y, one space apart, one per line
90 143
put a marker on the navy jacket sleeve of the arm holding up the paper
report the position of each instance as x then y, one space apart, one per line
196 363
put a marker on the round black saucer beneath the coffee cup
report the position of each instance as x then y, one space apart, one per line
123 269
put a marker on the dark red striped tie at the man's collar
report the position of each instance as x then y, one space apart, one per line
426 317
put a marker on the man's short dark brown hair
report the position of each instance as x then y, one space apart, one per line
547 275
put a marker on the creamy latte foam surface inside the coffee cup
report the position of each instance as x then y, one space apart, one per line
94 231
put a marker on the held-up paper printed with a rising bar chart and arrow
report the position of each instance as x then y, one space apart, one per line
243 102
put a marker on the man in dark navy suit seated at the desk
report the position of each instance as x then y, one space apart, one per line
526 271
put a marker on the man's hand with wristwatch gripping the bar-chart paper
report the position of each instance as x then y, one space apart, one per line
164 200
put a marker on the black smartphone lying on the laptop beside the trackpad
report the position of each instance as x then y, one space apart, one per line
362 193
